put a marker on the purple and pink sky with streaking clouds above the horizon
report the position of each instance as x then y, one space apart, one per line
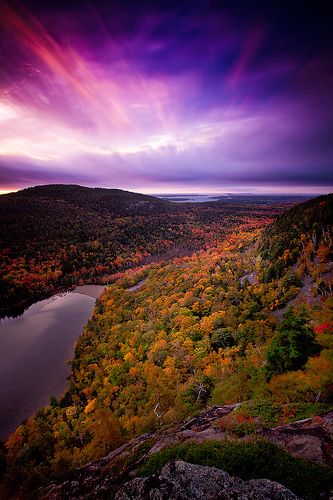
175 96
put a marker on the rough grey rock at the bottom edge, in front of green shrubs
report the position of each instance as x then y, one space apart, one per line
181 480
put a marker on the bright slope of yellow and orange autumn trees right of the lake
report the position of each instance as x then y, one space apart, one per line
210 328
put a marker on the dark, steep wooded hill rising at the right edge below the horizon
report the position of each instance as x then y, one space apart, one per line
301 240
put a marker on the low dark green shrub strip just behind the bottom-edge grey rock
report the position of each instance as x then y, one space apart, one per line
249 460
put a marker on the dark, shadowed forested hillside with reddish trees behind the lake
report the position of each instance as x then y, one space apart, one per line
54 237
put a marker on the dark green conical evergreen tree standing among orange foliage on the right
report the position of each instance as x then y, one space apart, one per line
292 345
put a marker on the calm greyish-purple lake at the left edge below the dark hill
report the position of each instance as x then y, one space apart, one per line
34 352
